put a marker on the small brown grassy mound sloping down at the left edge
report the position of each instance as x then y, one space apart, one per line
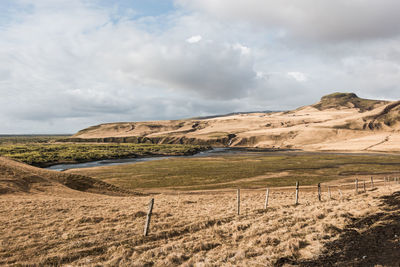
19 177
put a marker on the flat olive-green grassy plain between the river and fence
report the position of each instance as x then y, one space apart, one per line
250 170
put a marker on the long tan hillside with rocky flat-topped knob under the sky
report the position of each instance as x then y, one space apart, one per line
340 121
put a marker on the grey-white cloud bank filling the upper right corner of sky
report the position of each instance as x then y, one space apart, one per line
317 20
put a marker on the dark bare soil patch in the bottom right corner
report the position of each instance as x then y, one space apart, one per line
369 241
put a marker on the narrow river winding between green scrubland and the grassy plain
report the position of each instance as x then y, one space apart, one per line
208 153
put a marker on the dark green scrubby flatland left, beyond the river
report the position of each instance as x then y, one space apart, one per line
43 151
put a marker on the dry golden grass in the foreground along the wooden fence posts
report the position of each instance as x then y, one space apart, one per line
189 229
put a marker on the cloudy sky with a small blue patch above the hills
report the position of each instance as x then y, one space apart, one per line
69 64
